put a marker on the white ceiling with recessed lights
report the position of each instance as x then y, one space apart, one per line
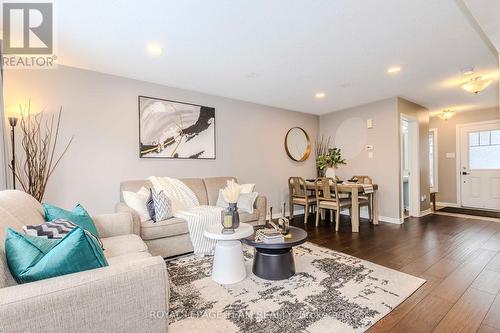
296 48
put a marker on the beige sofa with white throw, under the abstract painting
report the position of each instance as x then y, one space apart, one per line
171 237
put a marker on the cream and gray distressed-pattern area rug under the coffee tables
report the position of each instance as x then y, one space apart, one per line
331 292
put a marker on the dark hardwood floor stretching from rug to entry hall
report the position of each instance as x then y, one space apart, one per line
459 258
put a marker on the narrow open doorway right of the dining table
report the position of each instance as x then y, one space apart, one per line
409 171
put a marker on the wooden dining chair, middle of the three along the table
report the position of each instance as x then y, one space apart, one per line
325 199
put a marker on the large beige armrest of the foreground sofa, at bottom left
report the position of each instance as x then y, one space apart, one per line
128 297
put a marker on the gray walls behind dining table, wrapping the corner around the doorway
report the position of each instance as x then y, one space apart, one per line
384 166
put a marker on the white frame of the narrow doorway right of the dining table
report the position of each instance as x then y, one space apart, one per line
414 160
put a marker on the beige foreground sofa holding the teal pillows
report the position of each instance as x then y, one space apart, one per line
117 298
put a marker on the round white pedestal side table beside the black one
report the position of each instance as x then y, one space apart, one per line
228 266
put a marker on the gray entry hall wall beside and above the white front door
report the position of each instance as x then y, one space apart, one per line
447 174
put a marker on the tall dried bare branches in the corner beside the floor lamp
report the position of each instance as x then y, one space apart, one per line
39 142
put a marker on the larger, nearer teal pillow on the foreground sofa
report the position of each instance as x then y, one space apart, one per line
36 258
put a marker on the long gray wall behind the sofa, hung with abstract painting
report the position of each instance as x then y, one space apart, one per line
100 110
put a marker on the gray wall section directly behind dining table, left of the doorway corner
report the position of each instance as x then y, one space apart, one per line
384 166
